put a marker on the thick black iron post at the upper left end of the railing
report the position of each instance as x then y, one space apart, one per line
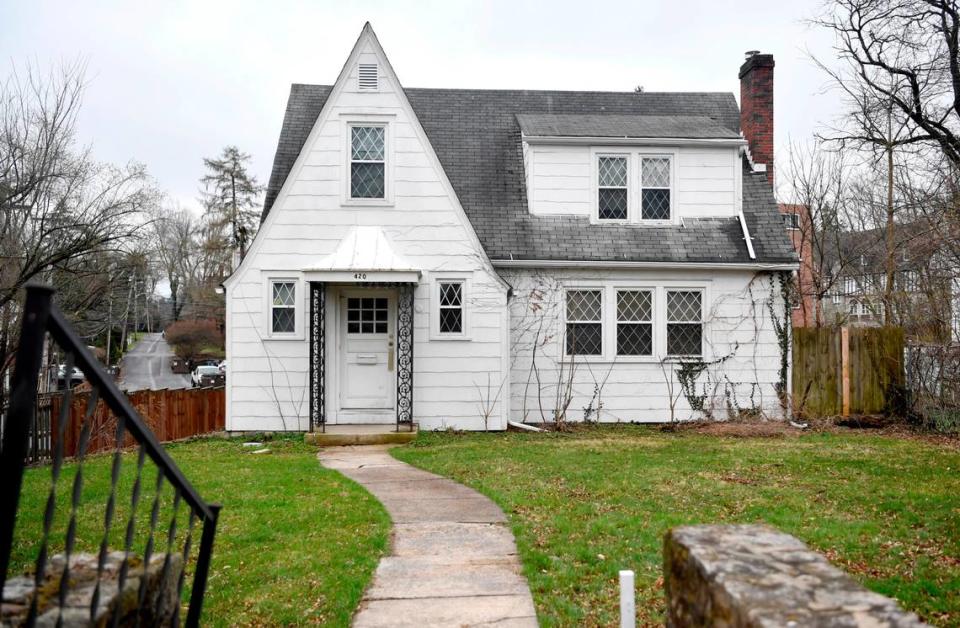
23 401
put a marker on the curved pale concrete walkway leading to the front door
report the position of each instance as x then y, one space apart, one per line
452 562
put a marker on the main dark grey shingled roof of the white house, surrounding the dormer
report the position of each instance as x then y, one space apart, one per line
476 136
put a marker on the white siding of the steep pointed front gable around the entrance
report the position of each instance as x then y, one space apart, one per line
268 377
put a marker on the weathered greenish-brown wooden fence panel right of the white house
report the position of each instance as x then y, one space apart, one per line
847 370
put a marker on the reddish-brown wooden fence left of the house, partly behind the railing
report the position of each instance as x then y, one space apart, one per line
170 415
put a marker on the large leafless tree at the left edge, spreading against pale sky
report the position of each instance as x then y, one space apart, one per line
58 204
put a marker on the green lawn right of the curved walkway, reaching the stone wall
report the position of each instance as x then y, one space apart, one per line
586 505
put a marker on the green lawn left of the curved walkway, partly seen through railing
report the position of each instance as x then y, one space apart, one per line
296 543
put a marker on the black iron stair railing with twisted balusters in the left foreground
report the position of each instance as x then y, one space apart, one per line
41 317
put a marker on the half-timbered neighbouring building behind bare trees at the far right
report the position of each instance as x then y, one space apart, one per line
925 296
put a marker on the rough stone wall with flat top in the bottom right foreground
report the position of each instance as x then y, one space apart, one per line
753 575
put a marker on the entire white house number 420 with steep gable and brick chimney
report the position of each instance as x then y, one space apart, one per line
460 258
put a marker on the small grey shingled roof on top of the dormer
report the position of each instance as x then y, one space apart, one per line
613 125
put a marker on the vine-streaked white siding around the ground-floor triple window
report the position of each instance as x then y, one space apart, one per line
638 391
